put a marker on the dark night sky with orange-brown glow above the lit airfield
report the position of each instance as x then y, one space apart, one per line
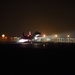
46 16
